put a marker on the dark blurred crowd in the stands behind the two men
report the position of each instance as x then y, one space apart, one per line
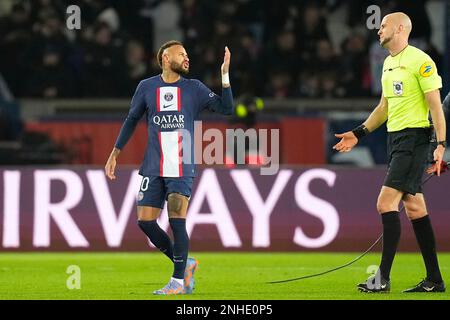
282 48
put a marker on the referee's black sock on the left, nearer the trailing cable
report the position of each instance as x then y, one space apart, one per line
391 237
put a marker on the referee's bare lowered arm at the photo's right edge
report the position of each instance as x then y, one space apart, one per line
433 99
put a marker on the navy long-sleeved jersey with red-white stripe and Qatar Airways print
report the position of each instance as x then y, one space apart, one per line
171 109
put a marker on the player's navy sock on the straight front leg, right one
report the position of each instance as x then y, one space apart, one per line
180 246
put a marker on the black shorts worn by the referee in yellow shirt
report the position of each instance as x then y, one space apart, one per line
407 158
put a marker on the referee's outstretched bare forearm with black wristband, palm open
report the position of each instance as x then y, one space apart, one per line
350 138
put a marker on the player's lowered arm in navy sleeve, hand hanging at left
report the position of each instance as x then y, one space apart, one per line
137 109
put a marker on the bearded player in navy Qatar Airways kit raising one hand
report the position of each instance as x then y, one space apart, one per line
171 104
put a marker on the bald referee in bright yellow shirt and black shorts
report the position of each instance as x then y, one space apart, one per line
411 86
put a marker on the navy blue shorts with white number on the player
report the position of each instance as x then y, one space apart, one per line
154 190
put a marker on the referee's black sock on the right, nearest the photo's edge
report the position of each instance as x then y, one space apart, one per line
427 243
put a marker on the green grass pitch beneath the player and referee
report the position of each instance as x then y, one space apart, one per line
220 276
